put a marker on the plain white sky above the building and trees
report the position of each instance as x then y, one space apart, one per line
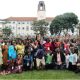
28 8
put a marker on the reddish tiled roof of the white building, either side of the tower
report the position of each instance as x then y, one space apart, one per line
26 19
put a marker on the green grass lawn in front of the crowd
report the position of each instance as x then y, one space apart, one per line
45 74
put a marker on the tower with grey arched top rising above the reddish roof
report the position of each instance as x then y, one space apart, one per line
41 12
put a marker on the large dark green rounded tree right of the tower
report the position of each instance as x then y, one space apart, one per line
67 21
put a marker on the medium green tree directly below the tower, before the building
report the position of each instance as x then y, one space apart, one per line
40 27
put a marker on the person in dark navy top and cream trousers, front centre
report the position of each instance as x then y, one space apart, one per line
40 56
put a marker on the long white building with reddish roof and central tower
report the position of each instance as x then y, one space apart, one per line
23 25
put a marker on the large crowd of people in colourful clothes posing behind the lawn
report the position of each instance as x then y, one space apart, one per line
47 53
